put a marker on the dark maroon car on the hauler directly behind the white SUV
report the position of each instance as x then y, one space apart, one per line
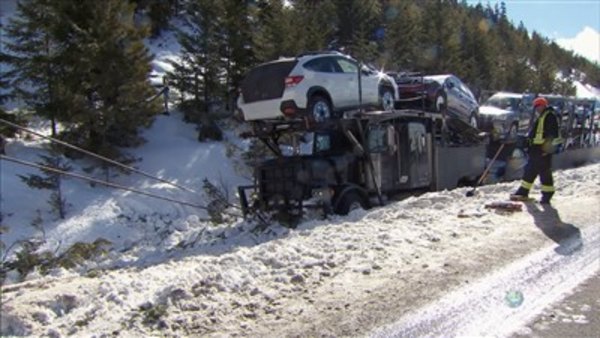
437 93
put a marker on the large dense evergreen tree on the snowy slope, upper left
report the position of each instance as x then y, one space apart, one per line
107 78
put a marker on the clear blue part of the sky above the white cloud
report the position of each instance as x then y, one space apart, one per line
552 18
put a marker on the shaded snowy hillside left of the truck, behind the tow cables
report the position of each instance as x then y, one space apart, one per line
128 220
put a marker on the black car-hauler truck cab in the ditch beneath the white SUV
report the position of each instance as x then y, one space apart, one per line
360 162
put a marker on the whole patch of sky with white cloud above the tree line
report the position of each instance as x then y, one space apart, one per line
573 24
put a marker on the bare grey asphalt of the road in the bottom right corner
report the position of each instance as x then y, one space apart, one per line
577 315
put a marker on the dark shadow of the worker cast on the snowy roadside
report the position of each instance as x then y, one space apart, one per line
566 235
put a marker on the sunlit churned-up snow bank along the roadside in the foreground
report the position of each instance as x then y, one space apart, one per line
343 276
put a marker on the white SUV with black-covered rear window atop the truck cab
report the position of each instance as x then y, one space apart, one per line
319 86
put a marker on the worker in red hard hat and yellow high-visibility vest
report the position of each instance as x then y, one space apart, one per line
543 140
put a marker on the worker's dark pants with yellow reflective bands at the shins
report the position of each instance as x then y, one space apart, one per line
538 165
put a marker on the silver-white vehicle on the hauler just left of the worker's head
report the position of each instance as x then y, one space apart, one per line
505 115
